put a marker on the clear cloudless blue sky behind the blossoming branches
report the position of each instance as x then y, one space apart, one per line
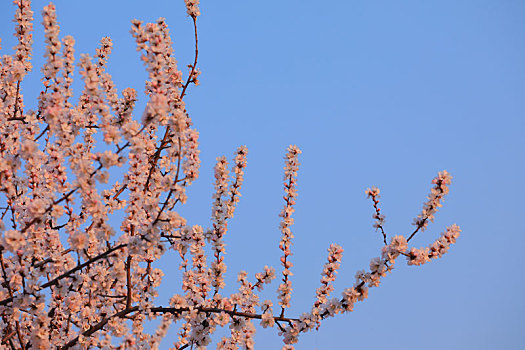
383 93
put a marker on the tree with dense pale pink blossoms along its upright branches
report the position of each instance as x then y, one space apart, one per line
70 279
